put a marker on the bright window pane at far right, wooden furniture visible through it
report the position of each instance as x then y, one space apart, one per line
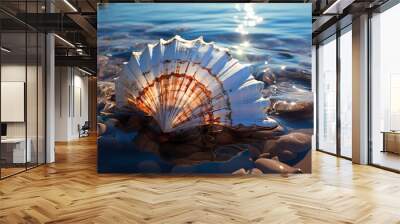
385 84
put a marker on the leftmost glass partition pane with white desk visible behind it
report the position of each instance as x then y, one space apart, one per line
13 80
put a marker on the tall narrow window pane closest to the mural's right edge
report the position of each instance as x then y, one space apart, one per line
327 96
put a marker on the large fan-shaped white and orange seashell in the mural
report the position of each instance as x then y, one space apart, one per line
188 83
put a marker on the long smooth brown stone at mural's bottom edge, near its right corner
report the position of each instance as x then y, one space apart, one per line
274 166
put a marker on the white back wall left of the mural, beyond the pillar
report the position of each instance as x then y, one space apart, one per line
71 94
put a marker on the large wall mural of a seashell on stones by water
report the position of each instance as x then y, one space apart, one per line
204 88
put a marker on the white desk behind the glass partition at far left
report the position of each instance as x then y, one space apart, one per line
16 147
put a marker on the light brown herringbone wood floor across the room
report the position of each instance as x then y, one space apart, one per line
70 191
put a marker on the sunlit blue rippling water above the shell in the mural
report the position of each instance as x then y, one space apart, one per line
264 35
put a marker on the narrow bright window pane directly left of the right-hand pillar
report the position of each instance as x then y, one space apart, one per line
346 94
